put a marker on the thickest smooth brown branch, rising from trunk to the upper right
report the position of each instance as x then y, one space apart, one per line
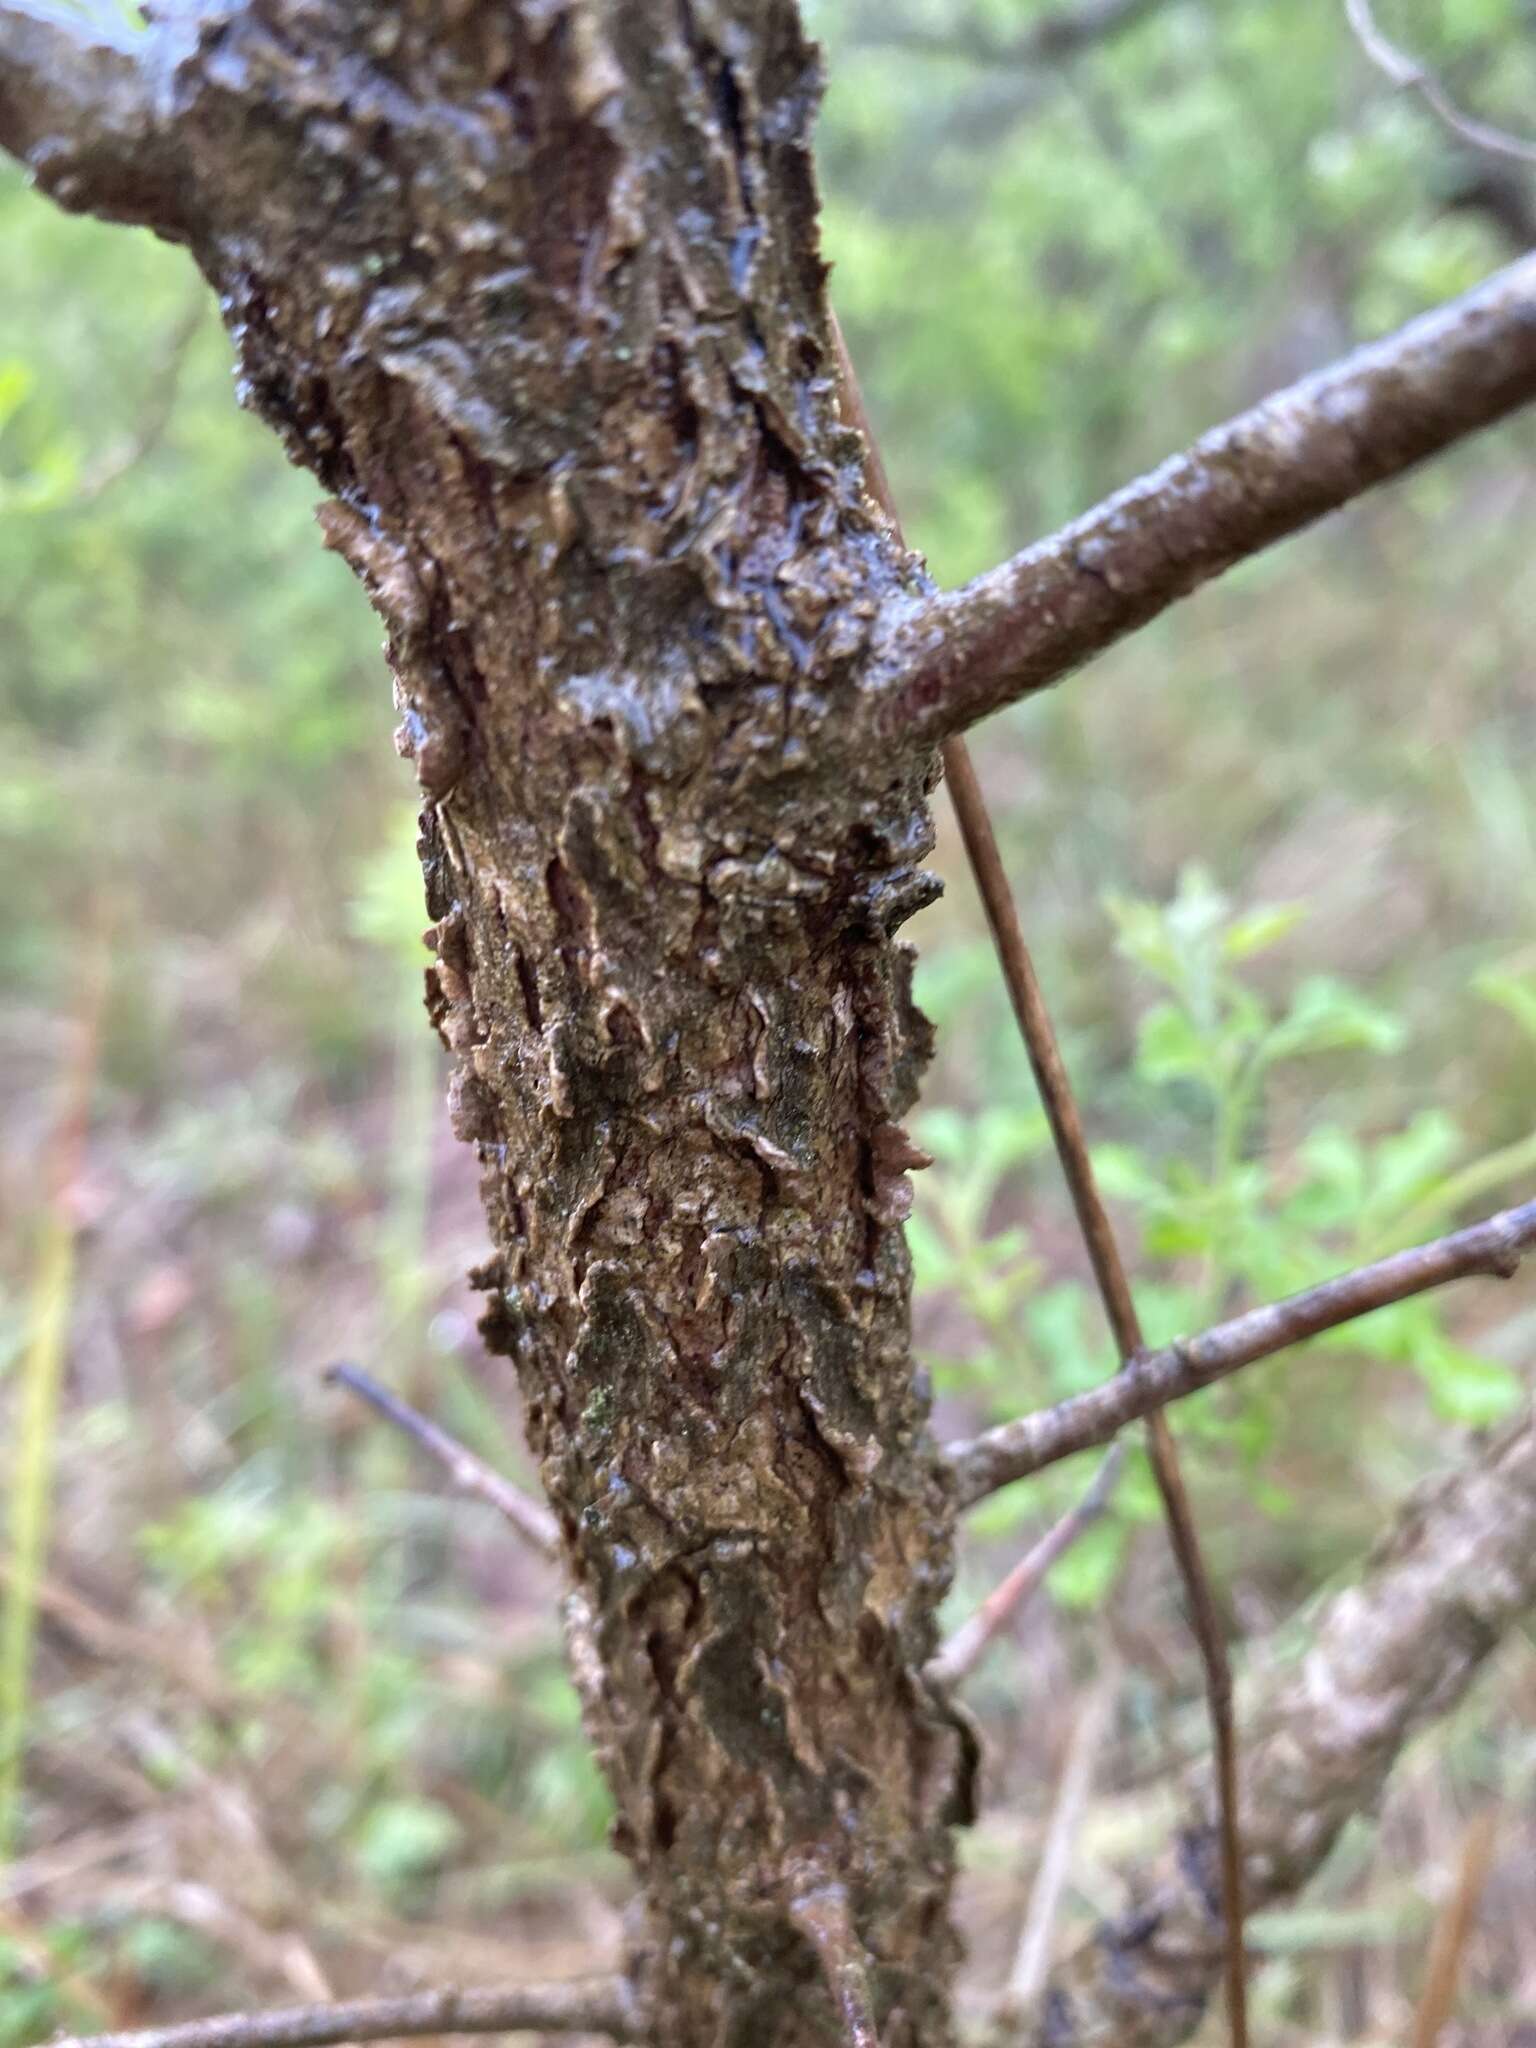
1263 476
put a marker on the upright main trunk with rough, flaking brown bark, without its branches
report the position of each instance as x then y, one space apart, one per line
538 298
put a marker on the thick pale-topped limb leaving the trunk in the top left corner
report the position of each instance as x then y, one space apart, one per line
85 105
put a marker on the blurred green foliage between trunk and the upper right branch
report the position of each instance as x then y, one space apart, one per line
1086 249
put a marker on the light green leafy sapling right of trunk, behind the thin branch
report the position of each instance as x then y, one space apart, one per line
1222 1215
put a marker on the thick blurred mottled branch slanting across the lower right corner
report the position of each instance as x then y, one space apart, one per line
1394 1654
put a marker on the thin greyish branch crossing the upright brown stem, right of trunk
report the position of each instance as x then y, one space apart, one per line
1154 1379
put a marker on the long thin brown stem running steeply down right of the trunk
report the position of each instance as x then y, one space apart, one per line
1109 1271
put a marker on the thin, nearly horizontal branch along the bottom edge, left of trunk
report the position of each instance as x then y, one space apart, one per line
581 2006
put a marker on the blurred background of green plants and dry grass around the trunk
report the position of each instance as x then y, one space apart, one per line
296 1719
